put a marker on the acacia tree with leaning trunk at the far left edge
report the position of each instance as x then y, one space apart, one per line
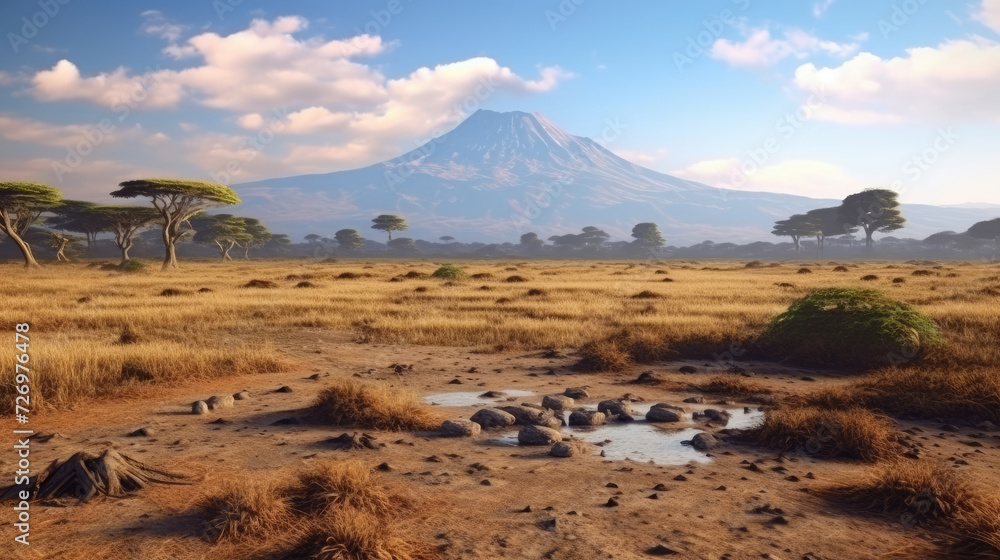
21 203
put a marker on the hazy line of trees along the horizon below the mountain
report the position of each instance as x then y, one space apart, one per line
36 213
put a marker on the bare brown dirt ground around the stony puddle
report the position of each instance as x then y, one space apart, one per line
708 515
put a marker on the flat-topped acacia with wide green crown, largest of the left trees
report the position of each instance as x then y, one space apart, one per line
177 200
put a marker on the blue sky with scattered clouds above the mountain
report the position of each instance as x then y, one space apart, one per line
814 98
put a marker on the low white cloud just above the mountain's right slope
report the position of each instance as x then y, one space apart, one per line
799 177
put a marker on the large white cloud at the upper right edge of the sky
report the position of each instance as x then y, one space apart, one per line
957 80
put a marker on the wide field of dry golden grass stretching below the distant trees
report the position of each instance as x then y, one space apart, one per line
704 312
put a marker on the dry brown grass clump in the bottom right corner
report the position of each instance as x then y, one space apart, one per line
966 519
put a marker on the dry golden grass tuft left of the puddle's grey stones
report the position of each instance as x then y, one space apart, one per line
374 405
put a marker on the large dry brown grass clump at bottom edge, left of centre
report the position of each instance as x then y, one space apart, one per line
338 510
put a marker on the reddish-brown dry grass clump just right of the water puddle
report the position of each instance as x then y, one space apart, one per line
855 433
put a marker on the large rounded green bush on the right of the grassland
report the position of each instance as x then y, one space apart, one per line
850 327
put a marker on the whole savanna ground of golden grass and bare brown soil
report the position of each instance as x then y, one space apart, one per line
882 440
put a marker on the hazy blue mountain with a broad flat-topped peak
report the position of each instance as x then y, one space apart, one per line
498 175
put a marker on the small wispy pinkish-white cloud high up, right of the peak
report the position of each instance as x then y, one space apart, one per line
761 49
